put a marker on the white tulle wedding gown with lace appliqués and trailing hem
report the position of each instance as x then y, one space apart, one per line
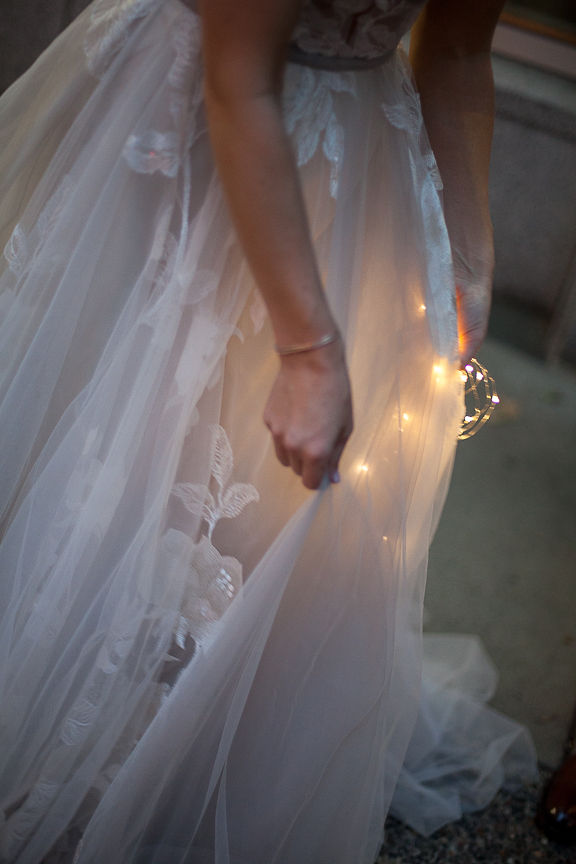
200 660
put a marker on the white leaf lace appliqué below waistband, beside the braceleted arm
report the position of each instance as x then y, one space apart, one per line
310 116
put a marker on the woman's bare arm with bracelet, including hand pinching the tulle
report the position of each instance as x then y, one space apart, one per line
309 409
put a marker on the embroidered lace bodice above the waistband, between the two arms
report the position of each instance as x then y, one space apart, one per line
354 28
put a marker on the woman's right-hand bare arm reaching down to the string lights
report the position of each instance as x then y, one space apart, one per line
450 54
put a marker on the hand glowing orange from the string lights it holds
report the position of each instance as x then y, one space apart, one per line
473 298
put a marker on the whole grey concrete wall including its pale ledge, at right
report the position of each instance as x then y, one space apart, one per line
533 193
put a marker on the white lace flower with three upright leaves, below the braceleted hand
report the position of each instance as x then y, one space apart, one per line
215 579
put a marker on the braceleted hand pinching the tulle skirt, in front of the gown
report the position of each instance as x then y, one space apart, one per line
309 413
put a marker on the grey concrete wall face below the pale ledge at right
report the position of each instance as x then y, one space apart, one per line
533 197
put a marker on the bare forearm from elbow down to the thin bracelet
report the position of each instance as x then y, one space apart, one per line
260 179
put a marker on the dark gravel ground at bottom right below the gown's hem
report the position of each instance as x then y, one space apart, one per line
504 833
